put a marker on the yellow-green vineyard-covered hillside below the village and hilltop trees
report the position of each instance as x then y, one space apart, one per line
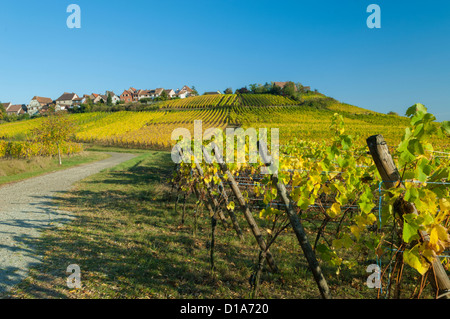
309 119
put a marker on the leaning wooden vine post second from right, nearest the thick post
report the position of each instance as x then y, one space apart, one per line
297 227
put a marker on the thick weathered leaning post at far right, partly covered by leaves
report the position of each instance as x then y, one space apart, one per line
391 177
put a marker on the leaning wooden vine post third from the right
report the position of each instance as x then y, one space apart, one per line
245 210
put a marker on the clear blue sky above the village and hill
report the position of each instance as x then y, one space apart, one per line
230 43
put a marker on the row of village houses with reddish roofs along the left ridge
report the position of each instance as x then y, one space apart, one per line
41 105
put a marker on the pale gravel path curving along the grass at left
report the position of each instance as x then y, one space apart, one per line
26 209
